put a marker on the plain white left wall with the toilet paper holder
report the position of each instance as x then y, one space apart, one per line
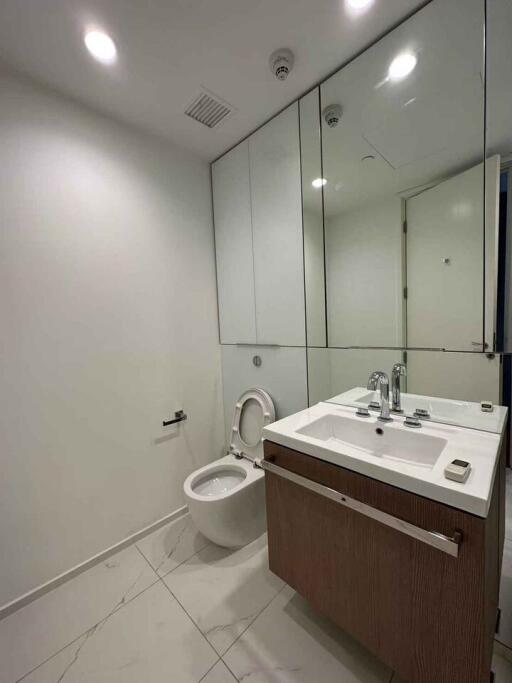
109 324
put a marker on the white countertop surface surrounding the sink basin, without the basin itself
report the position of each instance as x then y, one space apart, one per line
480 448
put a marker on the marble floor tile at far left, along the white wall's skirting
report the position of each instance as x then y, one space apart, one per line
35 632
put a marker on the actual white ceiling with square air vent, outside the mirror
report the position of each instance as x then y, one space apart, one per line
168 49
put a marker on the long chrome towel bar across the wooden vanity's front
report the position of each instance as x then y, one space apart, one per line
447 544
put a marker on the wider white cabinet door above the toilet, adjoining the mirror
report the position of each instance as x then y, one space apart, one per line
277 230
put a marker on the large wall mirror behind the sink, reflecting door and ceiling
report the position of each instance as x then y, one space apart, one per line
405 268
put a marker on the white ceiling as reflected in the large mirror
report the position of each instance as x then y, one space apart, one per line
420 130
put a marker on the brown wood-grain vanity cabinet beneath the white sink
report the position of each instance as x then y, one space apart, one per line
427 610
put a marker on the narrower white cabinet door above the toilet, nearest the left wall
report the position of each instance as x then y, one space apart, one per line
233 246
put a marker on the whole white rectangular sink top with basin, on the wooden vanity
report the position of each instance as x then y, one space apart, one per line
411 459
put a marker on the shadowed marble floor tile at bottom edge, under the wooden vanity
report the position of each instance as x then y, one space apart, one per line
290 643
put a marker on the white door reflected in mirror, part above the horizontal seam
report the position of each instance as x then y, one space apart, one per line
445 259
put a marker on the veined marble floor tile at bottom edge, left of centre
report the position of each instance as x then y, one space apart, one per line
149 640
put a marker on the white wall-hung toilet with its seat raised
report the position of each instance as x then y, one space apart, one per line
226 499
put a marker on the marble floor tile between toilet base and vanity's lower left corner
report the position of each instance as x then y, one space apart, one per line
224 590
